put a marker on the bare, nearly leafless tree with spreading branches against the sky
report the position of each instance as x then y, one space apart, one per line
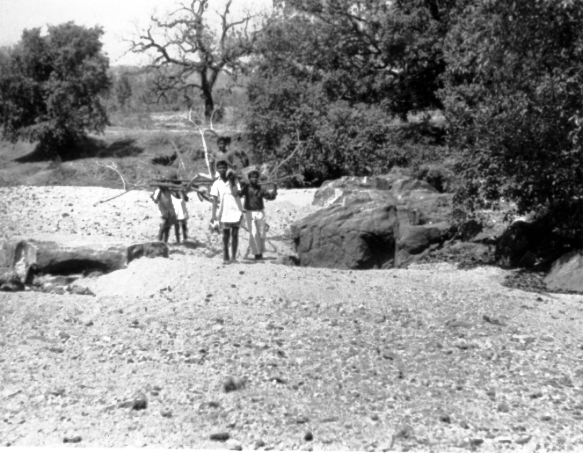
189 54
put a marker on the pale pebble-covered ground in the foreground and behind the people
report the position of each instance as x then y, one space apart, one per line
186 353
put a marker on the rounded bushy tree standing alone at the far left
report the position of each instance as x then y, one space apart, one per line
51 88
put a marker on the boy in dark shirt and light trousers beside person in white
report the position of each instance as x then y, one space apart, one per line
255 211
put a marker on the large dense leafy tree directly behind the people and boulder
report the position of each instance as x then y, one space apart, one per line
326 66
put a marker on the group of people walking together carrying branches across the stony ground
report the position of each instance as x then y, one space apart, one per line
233 201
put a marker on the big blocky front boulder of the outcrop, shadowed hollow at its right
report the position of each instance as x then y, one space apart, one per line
352 235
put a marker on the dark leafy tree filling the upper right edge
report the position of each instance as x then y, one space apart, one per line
514 107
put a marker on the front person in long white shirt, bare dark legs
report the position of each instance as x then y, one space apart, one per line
225 194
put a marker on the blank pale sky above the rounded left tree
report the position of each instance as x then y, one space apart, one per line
118 18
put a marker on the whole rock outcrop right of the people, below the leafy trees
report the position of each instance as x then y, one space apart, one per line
410 218
